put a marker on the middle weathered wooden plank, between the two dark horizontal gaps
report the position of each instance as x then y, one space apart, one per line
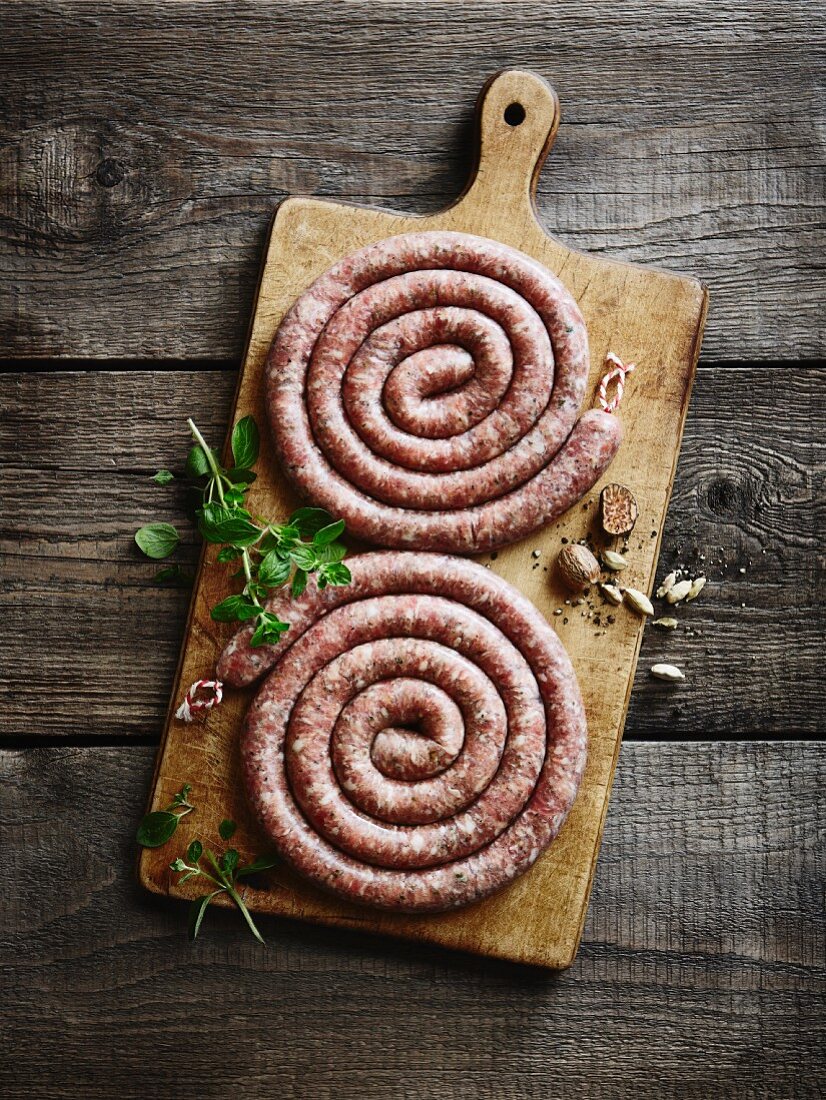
78 453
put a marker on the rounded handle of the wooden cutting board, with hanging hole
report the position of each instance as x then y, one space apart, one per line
517 118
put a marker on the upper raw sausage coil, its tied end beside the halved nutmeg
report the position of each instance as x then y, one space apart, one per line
426 390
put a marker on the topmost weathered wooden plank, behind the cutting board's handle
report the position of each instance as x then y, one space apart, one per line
144 150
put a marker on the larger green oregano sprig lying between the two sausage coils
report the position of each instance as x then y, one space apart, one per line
270 555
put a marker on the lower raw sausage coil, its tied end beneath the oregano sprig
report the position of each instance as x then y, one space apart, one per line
422 740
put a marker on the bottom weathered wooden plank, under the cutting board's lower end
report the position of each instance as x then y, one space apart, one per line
702 971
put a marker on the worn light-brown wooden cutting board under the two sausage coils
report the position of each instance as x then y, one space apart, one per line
646 316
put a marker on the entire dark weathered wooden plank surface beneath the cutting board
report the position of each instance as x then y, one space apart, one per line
142 150
